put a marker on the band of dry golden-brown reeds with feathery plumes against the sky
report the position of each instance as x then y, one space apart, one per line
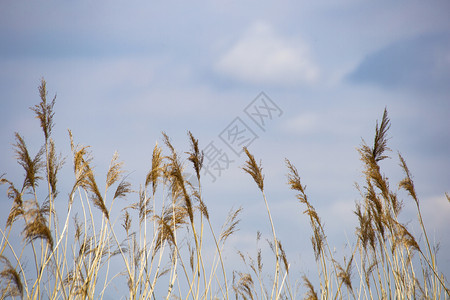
158 243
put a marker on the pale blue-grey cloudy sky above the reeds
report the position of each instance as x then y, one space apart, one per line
123 73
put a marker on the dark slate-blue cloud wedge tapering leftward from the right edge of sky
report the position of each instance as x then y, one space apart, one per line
418 63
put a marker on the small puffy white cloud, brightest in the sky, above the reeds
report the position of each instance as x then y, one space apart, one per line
260 56
